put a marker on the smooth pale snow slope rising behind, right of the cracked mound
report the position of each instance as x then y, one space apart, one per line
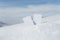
53 19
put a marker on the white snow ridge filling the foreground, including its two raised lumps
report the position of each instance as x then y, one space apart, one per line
42 30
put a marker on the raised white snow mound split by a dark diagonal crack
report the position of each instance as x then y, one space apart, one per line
34 19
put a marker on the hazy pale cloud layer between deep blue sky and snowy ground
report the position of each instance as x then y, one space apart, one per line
13 14
